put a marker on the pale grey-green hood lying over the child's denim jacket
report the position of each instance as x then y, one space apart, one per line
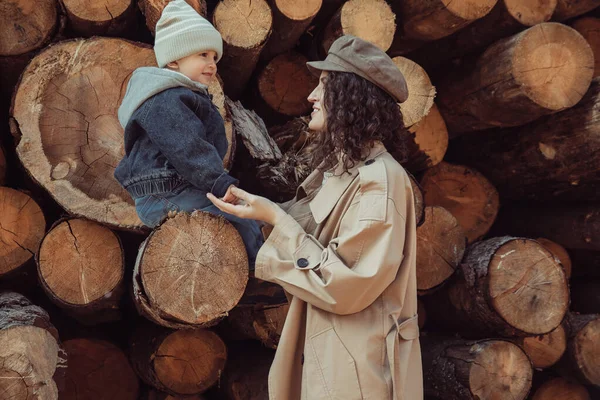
146 82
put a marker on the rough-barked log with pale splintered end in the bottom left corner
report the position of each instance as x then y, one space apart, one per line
34 363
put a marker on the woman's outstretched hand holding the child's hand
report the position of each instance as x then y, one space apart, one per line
249 206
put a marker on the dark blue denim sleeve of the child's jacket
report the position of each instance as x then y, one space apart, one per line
180 135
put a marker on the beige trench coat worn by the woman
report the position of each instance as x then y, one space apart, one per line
345 254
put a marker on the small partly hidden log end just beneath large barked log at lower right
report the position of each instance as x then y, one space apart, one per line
544 350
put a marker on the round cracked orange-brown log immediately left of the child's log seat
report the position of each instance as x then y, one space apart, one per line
81 267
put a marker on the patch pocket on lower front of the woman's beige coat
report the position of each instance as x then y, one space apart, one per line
332 371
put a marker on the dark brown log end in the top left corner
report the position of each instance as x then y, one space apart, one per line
26 25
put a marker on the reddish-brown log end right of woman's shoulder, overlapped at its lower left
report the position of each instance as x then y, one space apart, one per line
467 194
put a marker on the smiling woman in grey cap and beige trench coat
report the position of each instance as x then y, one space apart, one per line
344 248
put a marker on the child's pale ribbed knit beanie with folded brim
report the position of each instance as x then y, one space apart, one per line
181 31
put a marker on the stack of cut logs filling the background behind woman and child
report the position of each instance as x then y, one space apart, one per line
504 108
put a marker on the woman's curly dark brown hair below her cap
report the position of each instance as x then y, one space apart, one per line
358 114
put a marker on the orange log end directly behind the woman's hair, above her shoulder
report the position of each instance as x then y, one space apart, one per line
431 137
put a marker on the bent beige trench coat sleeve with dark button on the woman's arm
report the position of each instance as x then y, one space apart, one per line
348 274
